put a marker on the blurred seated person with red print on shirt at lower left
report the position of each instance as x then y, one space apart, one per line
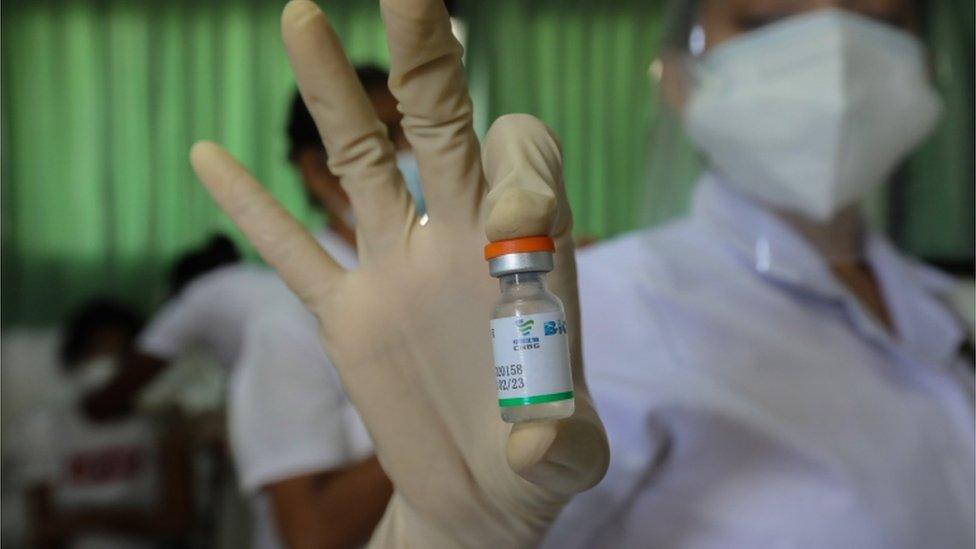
118 482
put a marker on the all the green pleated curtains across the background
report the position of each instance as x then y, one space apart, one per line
103 98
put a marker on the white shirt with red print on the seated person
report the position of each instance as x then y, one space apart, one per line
90 465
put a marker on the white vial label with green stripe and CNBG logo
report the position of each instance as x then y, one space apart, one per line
531 359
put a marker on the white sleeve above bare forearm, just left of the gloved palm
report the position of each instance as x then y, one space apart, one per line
288 412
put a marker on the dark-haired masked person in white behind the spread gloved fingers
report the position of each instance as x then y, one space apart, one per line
301 450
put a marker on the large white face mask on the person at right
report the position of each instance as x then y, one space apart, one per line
811 113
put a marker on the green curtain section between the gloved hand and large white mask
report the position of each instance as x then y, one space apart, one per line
581 67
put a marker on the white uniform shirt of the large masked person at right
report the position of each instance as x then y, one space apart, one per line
752 402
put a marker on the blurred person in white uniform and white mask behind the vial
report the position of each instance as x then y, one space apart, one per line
771 371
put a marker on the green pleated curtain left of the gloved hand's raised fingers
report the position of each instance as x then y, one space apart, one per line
101 103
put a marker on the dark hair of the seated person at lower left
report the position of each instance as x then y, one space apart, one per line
96 314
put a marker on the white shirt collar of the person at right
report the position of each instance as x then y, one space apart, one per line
925 327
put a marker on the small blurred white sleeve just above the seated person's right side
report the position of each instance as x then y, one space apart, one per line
176 327
